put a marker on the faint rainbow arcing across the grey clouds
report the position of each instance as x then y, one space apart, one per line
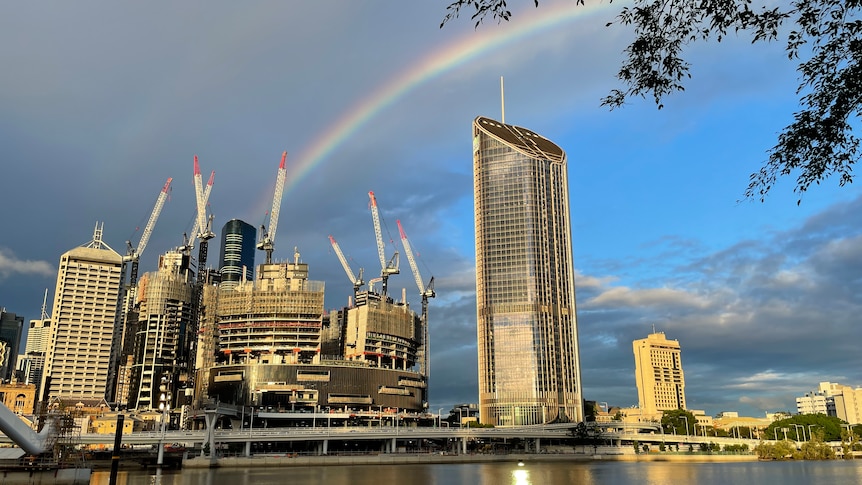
456 53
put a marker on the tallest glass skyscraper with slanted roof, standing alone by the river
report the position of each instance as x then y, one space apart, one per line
529 366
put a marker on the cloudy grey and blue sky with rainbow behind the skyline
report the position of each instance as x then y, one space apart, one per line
101 102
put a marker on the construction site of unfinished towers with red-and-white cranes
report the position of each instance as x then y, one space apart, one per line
184 341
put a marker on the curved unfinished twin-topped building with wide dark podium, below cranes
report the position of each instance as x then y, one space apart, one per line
278 349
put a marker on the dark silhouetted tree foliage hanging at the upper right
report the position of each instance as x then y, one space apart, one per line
826 35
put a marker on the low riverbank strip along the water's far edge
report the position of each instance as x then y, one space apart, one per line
436 458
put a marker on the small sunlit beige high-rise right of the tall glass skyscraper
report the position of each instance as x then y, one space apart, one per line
658 373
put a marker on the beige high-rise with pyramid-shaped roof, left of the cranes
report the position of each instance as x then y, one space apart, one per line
82 328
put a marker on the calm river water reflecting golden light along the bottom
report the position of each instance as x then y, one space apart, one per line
532 473
